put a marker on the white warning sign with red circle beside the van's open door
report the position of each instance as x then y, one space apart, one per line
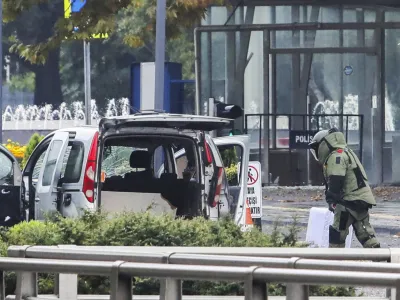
254 189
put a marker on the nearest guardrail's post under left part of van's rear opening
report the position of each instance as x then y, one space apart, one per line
121 285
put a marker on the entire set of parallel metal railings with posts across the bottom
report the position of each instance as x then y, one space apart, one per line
174 264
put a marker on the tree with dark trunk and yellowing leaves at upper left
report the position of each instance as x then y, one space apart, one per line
39 43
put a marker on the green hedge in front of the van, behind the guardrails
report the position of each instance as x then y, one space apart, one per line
144 229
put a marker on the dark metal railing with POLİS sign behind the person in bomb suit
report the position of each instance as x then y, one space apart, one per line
280 142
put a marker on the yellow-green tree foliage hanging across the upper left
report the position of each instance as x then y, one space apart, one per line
99 16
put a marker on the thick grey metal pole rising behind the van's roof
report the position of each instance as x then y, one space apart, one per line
160 54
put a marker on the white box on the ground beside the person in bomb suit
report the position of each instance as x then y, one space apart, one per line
318 228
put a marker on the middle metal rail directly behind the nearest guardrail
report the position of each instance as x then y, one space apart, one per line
199 259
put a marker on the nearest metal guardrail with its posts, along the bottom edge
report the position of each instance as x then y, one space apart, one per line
254 278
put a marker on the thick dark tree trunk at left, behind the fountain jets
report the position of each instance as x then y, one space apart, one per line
48 81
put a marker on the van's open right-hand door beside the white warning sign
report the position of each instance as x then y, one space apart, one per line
238 190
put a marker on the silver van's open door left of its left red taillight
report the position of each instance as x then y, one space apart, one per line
50 172
